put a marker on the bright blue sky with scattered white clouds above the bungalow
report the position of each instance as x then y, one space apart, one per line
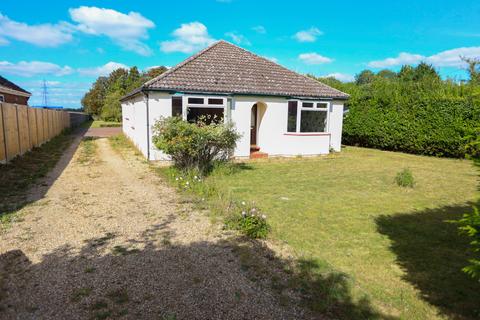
70 43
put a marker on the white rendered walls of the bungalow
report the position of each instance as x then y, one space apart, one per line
272 135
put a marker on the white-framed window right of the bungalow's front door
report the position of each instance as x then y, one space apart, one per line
307 116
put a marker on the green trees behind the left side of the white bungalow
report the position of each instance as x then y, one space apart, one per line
102 101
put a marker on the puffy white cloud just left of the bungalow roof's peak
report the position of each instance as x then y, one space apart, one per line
189 37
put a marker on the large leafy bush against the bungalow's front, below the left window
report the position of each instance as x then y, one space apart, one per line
195 146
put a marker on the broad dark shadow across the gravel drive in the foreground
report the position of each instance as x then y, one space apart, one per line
152 278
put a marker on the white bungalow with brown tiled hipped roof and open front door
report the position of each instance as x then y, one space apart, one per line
278 112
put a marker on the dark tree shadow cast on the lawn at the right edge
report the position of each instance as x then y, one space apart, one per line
432 253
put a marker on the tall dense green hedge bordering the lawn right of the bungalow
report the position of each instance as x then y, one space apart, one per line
399 118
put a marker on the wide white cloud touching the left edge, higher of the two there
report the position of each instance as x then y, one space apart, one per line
42 35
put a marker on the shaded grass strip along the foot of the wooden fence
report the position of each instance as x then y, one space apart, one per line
24 171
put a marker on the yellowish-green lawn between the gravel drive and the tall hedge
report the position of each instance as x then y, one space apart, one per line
345 212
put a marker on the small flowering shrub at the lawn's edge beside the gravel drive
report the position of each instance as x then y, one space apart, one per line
249 221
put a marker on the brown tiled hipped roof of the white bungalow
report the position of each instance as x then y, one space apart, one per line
226 68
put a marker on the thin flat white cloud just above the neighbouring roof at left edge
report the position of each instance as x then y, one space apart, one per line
33 68
